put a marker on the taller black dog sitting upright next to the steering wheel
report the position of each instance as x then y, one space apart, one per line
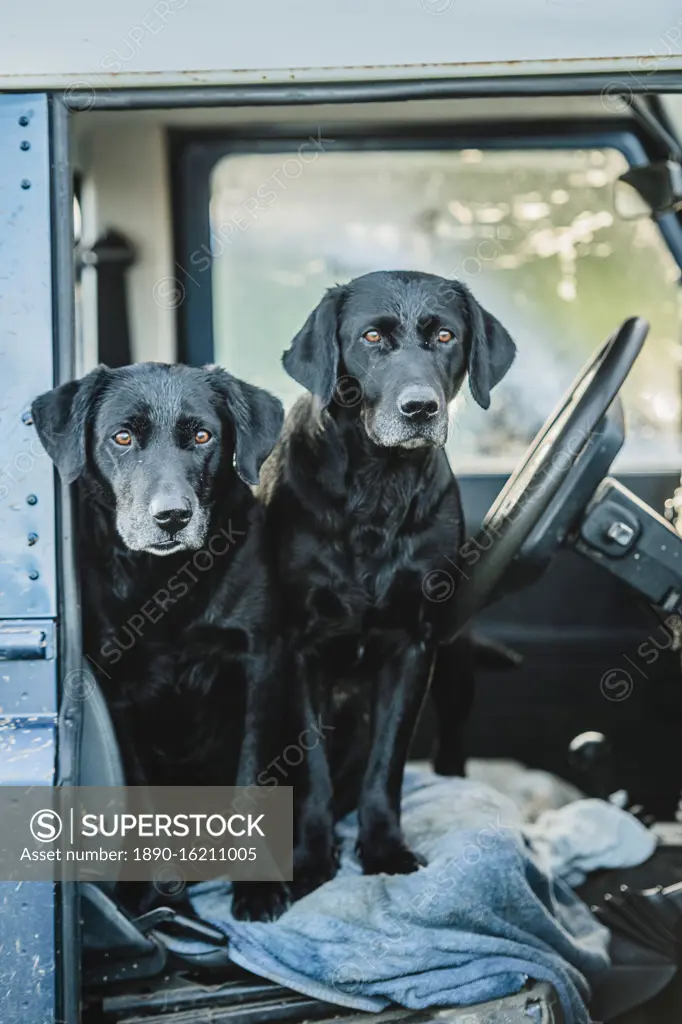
362 507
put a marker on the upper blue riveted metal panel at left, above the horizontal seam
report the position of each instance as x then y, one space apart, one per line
27 500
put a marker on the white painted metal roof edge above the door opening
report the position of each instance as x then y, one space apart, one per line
184 42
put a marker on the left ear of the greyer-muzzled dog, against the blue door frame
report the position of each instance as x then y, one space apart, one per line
62 418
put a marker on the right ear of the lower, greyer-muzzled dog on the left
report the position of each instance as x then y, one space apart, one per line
257 417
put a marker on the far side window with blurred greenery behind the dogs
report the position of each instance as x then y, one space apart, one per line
532 232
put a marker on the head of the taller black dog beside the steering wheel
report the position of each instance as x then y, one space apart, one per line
410 339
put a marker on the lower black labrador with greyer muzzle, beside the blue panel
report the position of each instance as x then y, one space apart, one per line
179 618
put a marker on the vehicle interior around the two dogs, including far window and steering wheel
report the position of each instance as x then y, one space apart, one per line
576 470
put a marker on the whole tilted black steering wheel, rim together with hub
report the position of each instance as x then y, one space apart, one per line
552 485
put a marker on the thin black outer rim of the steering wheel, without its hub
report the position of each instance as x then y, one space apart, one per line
568 432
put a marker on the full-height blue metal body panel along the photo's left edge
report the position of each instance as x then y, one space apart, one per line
28 578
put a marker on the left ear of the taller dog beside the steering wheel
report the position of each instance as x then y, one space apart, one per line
314 358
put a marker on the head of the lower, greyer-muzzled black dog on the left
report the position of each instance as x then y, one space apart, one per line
160 441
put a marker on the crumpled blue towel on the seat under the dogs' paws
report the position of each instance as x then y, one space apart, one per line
473 926
